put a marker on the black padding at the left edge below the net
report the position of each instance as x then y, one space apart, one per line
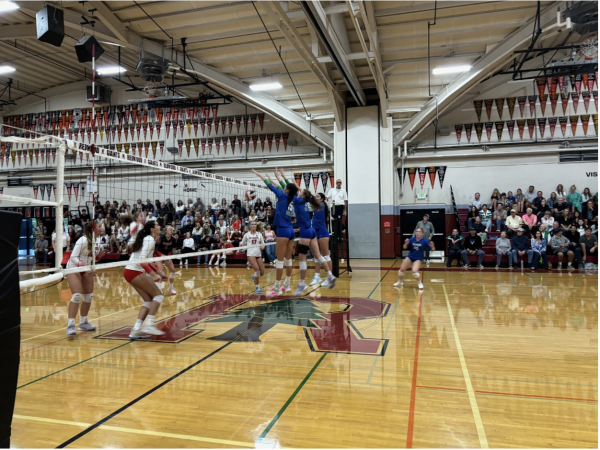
10 320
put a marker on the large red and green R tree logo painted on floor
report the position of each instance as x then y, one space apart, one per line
329 323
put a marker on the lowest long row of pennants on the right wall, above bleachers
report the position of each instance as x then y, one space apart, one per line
541 123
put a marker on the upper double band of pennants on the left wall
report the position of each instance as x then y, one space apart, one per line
129 119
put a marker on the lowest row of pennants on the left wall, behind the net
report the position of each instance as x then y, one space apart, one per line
15 150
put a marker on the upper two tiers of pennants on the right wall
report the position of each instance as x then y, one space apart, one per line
557 88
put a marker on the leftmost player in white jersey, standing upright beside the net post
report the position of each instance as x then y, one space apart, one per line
82 283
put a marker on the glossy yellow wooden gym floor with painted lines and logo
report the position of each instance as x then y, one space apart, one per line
478 359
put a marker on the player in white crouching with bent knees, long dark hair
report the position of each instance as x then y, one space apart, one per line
142 249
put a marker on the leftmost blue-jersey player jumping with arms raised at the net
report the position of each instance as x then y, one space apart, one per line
285 233
